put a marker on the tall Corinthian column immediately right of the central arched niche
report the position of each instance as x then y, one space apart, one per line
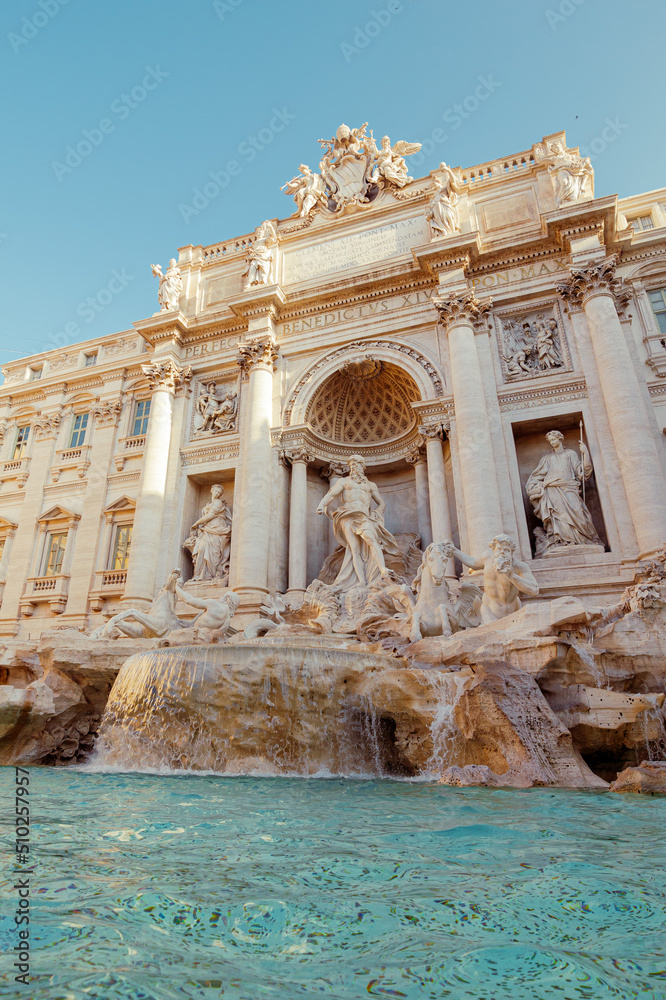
462 315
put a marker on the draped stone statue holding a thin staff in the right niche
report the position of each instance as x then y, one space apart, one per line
554 489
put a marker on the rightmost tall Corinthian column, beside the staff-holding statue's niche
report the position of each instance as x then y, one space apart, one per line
595 288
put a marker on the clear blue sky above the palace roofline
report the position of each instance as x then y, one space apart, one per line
210 74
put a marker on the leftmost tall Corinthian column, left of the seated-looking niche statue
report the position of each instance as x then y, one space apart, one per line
166 378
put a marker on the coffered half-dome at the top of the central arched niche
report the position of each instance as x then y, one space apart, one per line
366 401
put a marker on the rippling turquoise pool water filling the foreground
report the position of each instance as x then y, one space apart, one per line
200 886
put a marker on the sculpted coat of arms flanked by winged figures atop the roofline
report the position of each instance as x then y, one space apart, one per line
354 170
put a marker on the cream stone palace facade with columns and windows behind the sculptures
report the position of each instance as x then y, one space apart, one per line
437 327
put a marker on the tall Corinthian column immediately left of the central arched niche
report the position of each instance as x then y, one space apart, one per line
252 511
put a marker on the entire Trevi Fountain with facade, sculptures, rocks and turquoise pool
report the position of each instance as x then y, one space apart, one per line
376 496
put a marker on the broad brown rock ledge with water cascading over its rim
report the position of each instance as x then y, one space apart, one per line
274 707
